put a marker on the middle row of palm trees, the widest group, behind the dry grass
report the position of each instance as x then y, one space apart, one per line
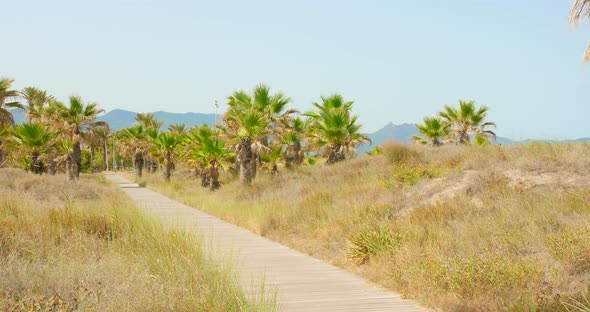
257 132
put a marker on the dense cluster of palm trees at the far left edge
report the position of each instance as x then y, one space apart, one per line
54 132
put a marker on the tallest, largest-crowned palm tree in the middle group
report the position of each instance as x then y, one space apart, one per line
251 121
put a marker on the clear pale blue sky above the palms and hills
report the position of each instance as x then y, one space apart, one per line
399 61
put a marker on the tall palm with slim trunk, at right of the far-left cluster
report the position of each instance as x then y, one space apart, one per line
77 118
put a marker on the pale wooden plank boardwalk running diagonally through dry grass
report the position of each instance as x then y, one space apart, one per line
302 283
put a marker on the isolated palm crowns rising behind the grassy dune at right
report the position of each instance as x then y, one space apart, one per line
464 124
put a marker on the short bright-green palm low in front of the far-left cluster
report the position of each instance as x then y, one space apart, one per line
34 140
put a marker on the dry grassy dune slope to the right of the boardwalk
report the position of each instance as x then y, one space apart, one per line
497 241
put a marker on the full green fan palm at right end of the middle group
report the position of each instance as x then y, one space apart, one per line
333 129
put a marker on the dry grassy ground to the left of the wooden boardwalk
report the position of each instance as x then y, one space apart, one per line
84 246
